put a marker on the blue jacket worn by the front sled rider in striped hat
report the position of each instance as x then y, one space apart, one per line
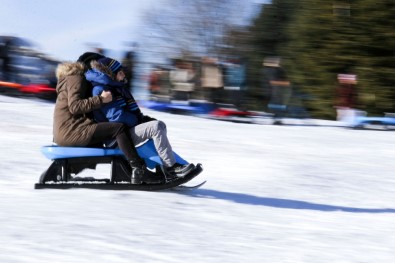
123 108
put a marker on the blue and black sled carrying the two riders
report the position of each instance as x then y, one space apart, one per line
68 162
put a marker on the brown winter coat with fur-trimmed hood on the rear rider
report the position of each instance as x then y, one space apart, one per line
72 124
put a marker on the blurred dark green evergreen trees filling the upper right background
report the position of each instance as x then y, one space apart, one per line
319 39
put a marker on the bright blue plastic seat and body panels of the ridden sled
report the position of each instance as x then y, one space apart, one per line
146 151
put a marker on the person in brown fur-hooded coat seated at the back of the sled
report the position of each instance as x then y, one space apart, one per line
74 125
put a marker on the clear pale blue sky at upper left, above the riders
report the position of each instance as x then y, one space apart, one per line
66 29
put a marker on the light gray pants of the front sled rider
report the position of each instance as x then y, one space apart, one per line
155 130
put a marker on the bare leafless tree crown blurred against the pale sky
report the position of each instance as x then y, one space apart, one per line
179 28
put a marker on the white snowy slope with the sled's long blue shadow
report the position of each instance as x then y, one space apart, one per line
291 193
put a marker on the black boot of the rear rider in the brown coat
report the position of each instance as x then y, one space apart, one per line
140 173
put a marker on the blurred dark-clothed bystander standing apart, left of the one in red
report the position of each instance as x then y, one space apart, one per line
280 86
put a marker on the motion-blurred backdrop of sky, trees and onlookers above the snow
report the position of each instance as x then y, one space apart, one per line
321 59
